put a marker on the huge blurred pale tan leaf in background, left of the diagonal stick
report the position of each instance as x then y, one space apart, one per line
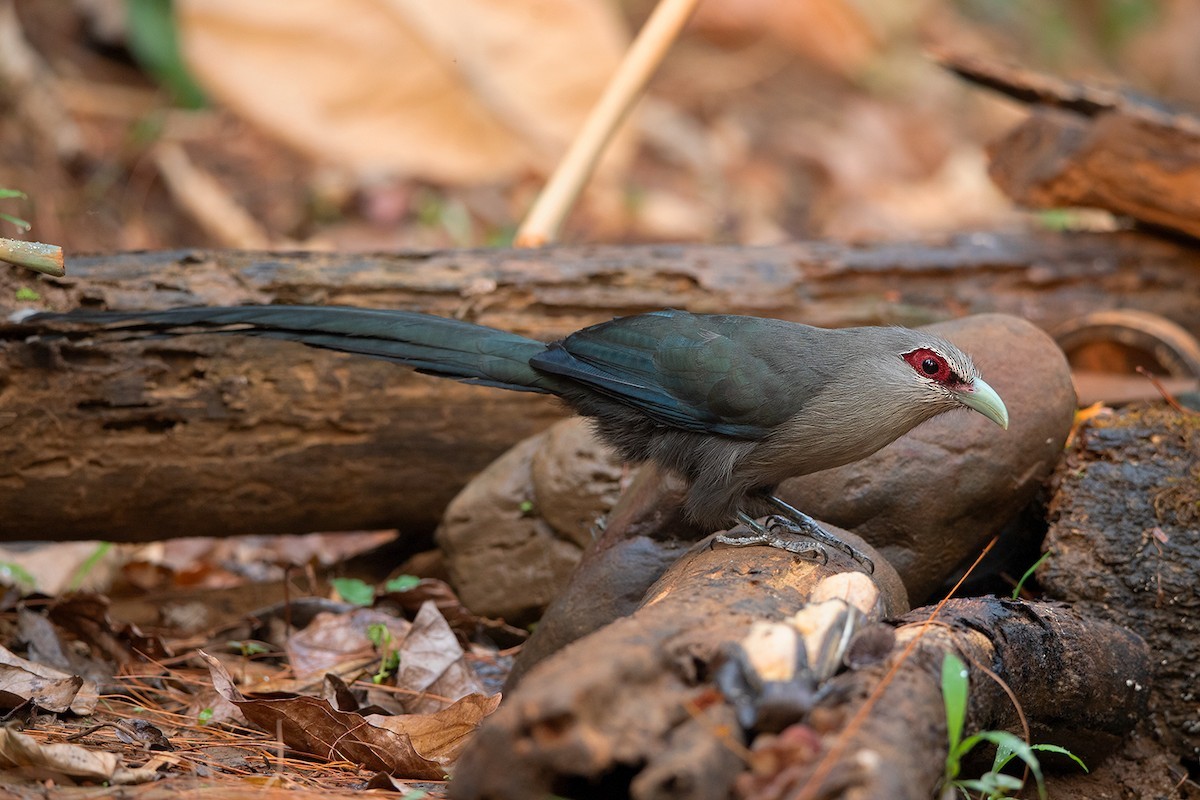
460 92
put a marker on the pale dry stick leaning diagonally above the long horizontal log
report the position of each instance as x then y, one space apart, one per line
547 216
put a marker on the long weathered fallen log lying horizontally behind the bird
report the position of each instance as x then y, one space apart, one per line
218 436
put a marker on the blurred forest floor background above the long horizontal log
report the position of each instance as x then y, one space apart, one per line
359 125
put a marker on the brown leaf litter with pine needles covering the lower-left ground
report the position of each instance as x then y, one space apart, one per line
346 697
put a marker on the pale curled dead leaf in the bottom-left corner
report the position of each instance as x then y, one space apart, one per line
55 760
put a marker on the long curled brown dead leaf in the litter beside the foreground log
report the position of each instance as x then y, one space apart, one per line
417 748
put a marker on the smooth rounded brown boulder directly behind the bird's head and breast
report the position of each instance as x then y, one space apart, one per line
935 497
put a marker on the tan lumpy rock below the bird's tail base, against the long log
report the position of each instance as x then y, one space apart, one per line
514 536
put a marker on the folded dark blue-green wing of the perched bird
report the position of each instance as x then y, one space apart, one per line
716 375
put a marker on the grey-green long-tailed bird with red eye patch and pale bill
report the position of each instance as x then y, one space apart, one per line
734 405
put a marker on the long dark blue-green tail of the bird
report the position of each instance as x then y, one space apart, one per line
437 346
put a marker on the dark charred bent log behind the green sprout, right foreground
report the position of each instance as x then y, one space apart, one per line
1082 684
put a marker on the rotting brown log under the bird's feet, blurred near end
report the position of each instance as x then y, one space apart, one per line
617 702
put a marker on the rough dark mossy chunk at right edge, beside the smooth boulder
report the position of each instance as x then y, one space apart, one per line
1125 543
